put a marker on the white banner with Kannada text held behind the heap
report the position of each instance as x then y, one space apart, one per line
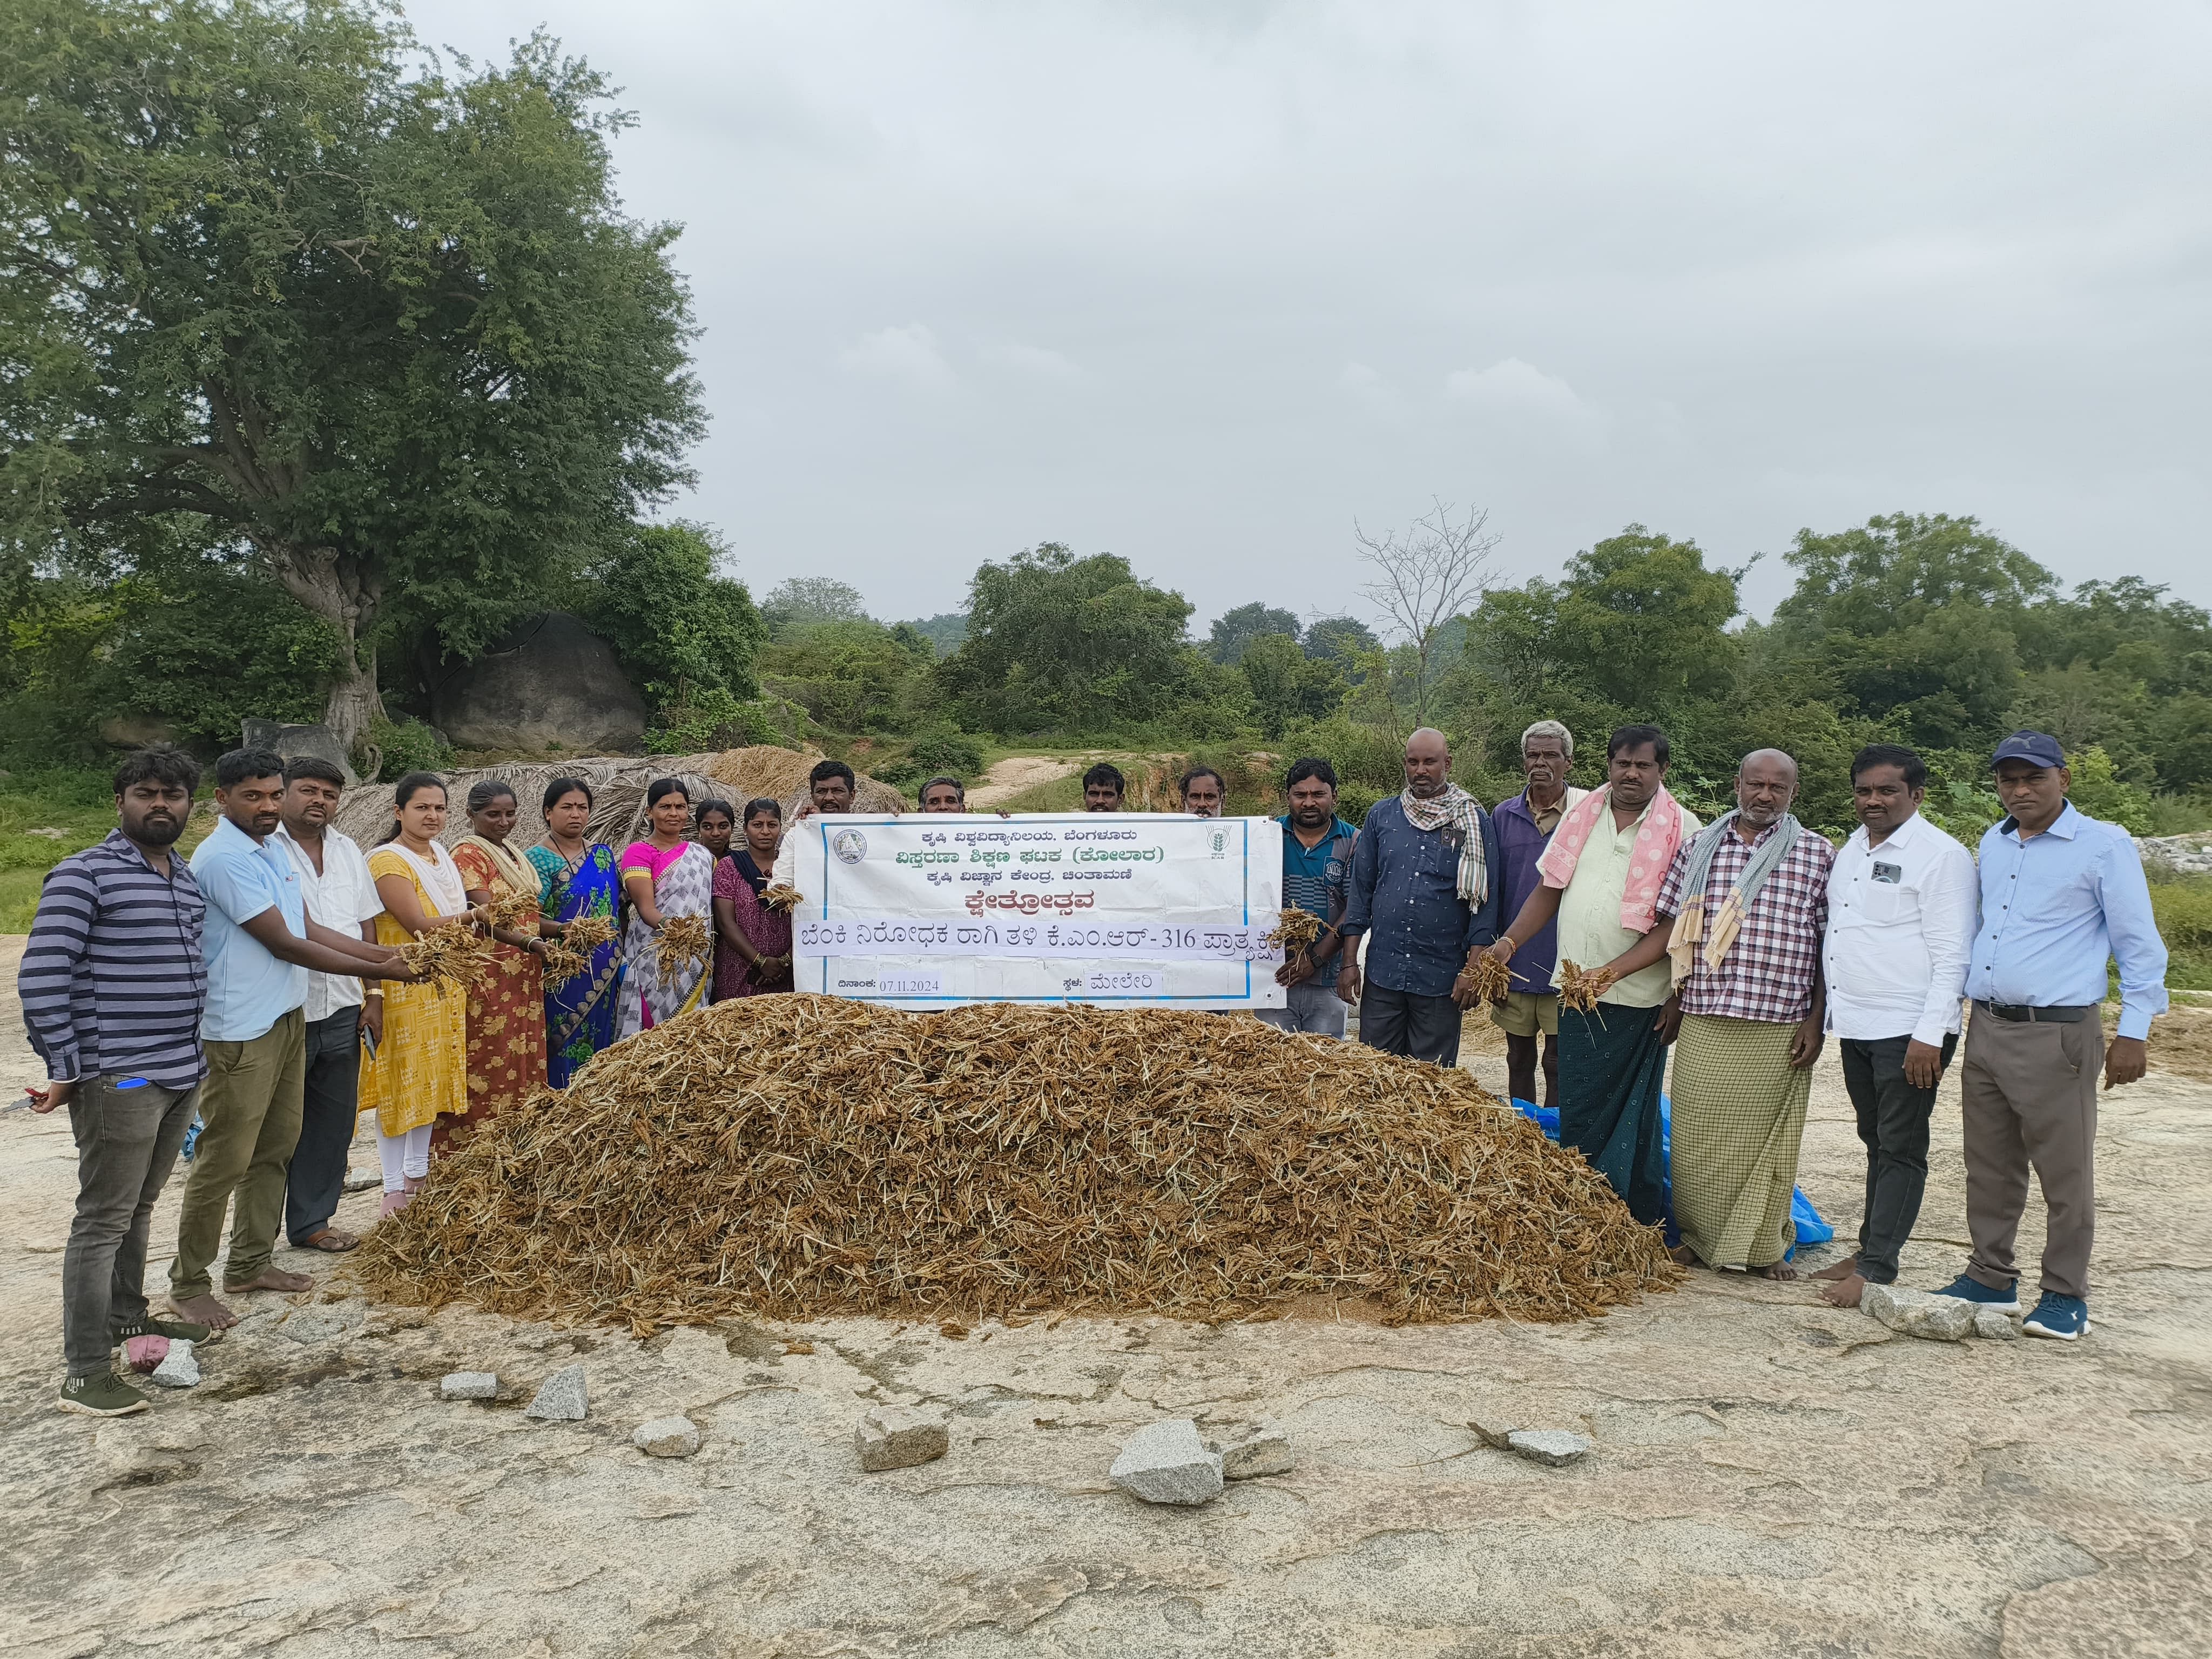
1127 908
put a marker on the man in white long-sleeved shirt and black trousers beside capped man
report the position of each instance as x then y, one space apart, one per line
1901 915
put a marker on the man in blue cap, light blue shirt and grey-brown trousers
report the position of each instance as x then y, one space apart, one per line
2060 895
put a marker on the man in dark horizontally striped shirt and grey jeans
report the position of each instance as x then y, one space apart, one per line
112 994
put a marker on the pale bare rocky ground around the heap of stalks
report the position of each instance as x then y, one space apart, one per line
1768 1474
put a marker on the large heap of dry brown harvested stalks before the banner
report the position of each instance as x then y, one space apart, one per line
804 1156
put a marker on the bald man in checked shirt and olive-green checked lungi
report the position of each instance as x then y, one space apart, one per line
1742 915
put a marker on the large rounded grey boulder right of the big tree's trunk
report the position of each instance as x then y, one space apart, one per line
552 680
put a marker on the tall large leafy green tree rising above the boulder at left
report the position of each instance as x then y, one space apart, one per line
379 326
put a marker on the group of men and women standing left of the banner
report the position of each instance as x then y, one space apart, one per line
262 992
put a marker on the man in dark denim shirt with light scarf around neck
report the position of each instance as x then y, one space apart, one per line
1426 897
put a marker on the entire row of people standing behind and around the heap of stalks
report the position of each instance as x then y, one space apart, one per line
262 990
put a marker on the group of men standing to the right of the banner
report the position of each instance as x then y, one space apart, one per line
1625 928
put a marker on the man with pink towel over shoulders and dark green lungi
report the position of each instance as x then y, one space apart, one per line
1600 879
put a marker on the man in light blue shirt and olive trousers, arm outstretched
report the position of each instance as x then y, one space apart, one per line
260 946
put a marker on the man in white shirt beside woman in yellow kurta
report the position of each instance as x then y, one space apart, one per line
342 895
